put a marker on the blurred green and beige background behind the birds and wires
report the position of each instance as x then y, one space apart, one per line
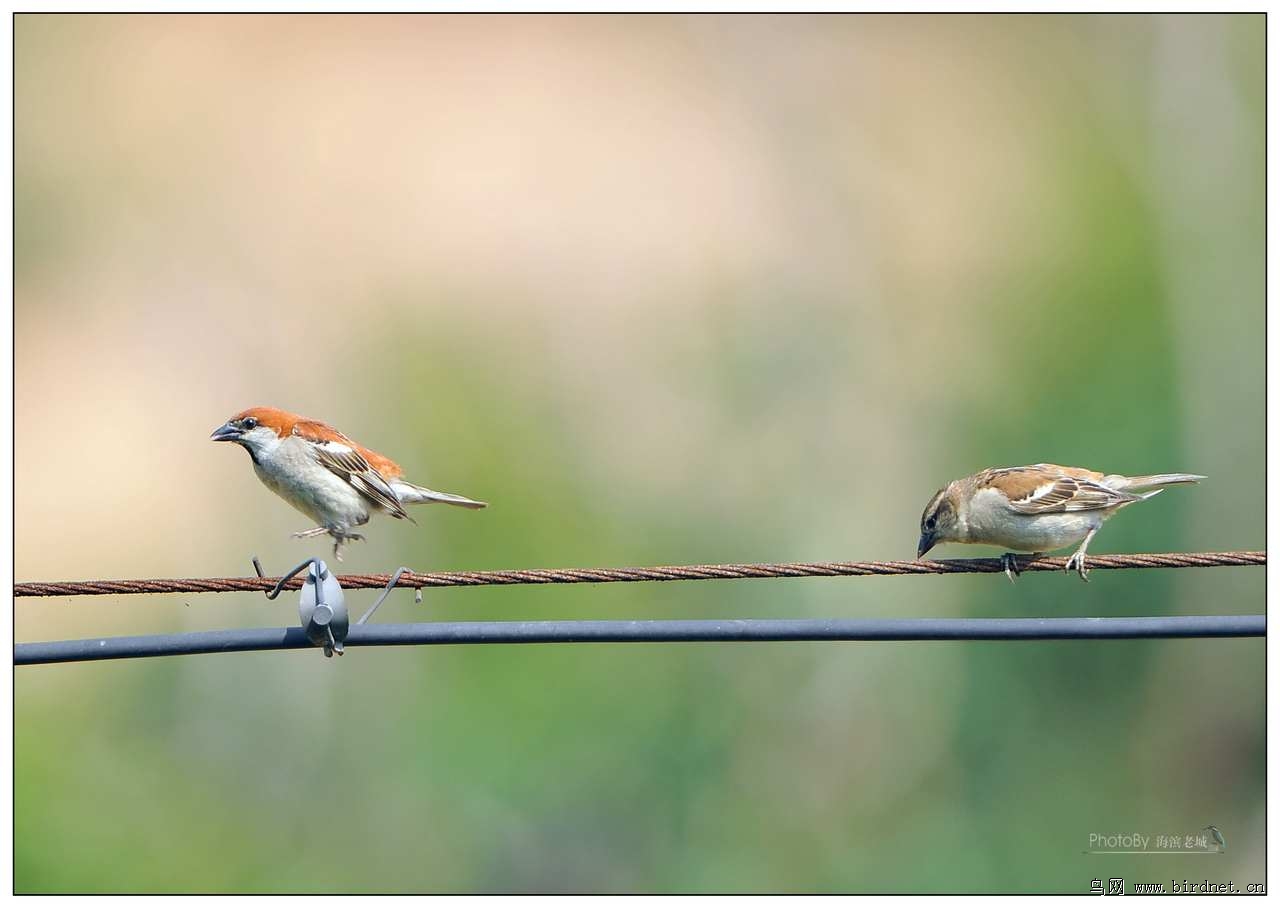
662 290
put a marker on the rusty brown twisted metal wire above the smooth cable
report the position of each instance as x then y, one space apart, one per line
414 581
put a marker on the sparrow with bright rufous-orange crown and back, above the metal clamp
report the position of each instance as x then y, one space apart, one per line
332 480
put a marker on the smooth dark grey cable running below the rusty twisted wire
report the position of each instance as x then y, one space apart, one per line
651 632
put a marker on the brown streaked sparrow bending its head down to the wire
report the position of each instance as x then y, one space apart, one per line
1035 509
